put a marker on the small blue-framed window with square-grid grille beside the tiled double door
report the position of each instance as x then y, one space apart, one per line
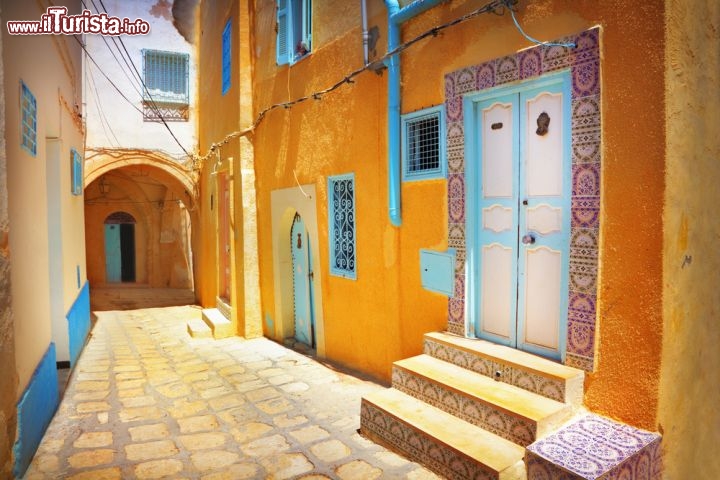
423 144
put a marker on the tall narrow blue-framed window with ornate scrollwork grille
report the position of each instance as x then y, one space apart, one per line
341 221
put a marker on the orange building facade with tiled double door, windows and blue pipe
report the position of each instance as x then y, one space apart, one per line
477 183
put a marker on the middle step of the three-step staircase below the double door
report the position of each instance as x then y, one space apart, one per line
505 410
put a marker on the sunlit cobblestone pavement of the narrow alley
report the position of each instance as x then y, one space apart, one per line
147 401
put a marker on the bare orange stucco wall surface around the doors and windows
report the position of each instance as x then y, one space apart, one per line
381 316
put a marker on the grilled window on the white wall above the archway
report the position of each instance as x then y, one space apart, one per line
166 81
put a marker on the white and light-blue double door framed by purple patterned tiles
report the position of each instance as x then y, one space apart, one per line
519 216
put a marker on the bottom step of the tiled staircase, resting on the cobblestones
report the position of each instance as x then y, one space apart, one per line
443 443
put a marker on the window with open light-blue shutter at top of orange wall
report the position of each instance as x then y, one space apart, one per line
294 30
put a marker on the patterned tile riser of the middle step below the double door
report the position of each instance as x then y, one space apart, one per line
516 429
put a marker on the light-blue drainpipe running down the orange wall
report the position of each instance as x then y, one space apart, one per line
396 16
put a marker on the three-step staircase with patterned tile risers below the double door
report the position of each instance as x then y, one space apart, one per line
468 408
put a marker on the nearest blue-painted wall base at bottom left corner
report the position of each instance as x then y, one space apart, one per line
35 411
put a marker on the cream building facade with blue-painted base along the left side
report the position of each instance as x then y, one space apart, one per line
45 306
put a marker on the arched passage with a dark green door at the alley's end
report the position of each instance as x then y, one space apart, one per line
158 195
